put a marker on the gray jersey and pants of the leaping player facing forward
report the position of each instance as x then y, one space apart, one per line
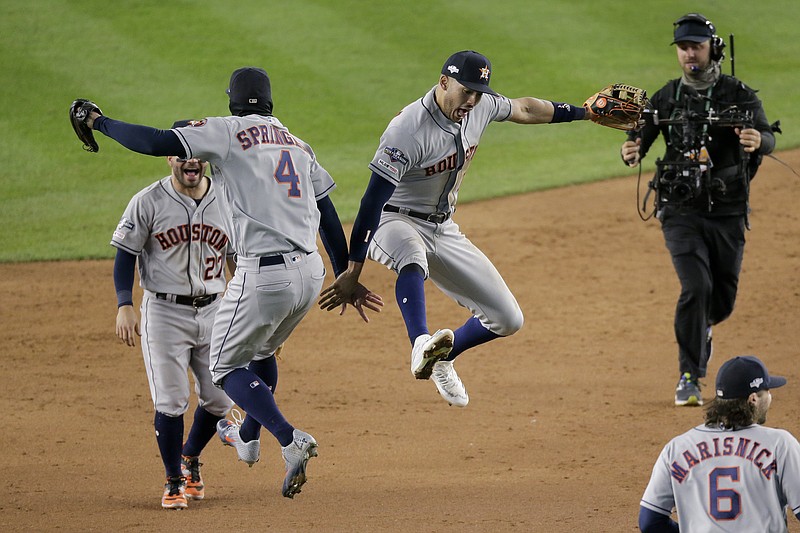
426 156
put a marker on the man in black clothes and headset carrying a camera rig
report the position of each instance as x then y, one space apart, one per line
716 133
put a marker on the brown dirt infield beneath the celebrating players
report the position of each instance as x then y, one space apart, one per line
565 420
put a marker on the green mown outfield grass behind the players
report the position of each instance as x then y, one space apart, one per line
340 71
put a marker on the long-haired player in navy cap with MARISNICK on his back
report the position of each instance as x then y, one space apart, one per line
731 473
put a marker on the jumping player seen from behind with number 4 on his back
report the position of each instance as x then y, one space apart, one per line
273 197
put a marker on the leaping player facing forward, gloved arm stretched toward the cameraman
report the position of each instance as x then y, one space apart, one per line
406 217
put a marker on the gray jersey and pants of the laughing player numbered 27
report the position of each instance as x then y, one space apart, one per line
181 248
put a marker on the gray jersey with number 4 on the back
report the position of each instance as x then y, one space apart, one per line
268 197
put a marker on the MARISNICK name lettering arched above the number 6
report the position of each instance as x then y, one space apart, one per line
746 449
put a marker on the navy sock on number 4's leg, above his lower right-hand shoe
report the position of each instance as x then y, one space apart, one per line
250 393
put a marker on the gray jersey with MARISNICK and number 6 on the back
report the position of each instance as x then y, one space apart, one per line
722 480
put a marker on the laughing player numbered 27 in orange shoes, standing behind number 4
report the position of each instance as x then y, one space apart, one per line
175 230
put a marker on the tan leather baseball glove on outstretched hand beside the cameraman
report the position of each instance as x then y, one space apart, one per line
618 106
